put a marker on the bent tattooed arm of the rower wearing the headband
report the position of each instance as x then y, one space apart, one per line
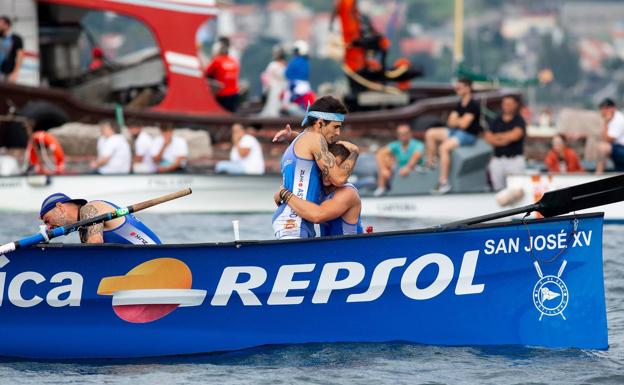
326 161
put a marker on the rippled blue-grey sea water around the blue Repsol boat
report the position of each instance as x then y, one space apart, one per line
391 363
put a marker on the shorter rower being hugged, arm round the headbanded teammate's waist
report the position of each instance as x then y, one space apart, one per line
340 208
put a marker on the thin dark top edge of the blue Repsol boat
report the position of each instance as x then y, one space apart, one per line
351 237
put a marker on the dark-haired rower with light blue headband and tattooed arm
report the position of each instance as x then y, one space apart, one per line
306 159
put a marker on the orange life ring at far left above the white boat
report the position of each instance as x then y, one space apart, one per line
46 144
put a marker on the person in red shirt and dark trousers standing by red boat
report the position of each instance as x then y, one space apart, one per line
225 70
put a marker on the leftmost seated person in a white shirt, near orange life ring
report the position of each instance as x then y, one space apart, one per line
113 151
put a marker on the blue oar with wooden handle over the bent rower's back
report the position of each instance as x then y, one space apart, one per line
46 235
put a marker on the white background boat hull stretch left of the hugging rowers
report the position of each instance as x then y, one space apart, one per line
211 193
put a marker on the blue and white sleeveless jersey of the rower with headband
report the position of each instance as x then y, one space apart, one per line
302 178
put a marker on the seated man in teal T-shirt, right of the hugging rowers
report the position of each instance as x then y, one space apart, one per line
401 155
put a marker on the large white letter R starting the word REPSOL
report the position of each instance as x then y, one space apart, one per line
228 284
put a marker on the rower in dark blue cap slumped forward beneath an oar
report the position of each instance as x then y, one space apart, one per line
60 210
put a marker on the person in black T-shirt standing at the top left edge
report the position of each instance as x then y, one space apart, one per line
11 51
